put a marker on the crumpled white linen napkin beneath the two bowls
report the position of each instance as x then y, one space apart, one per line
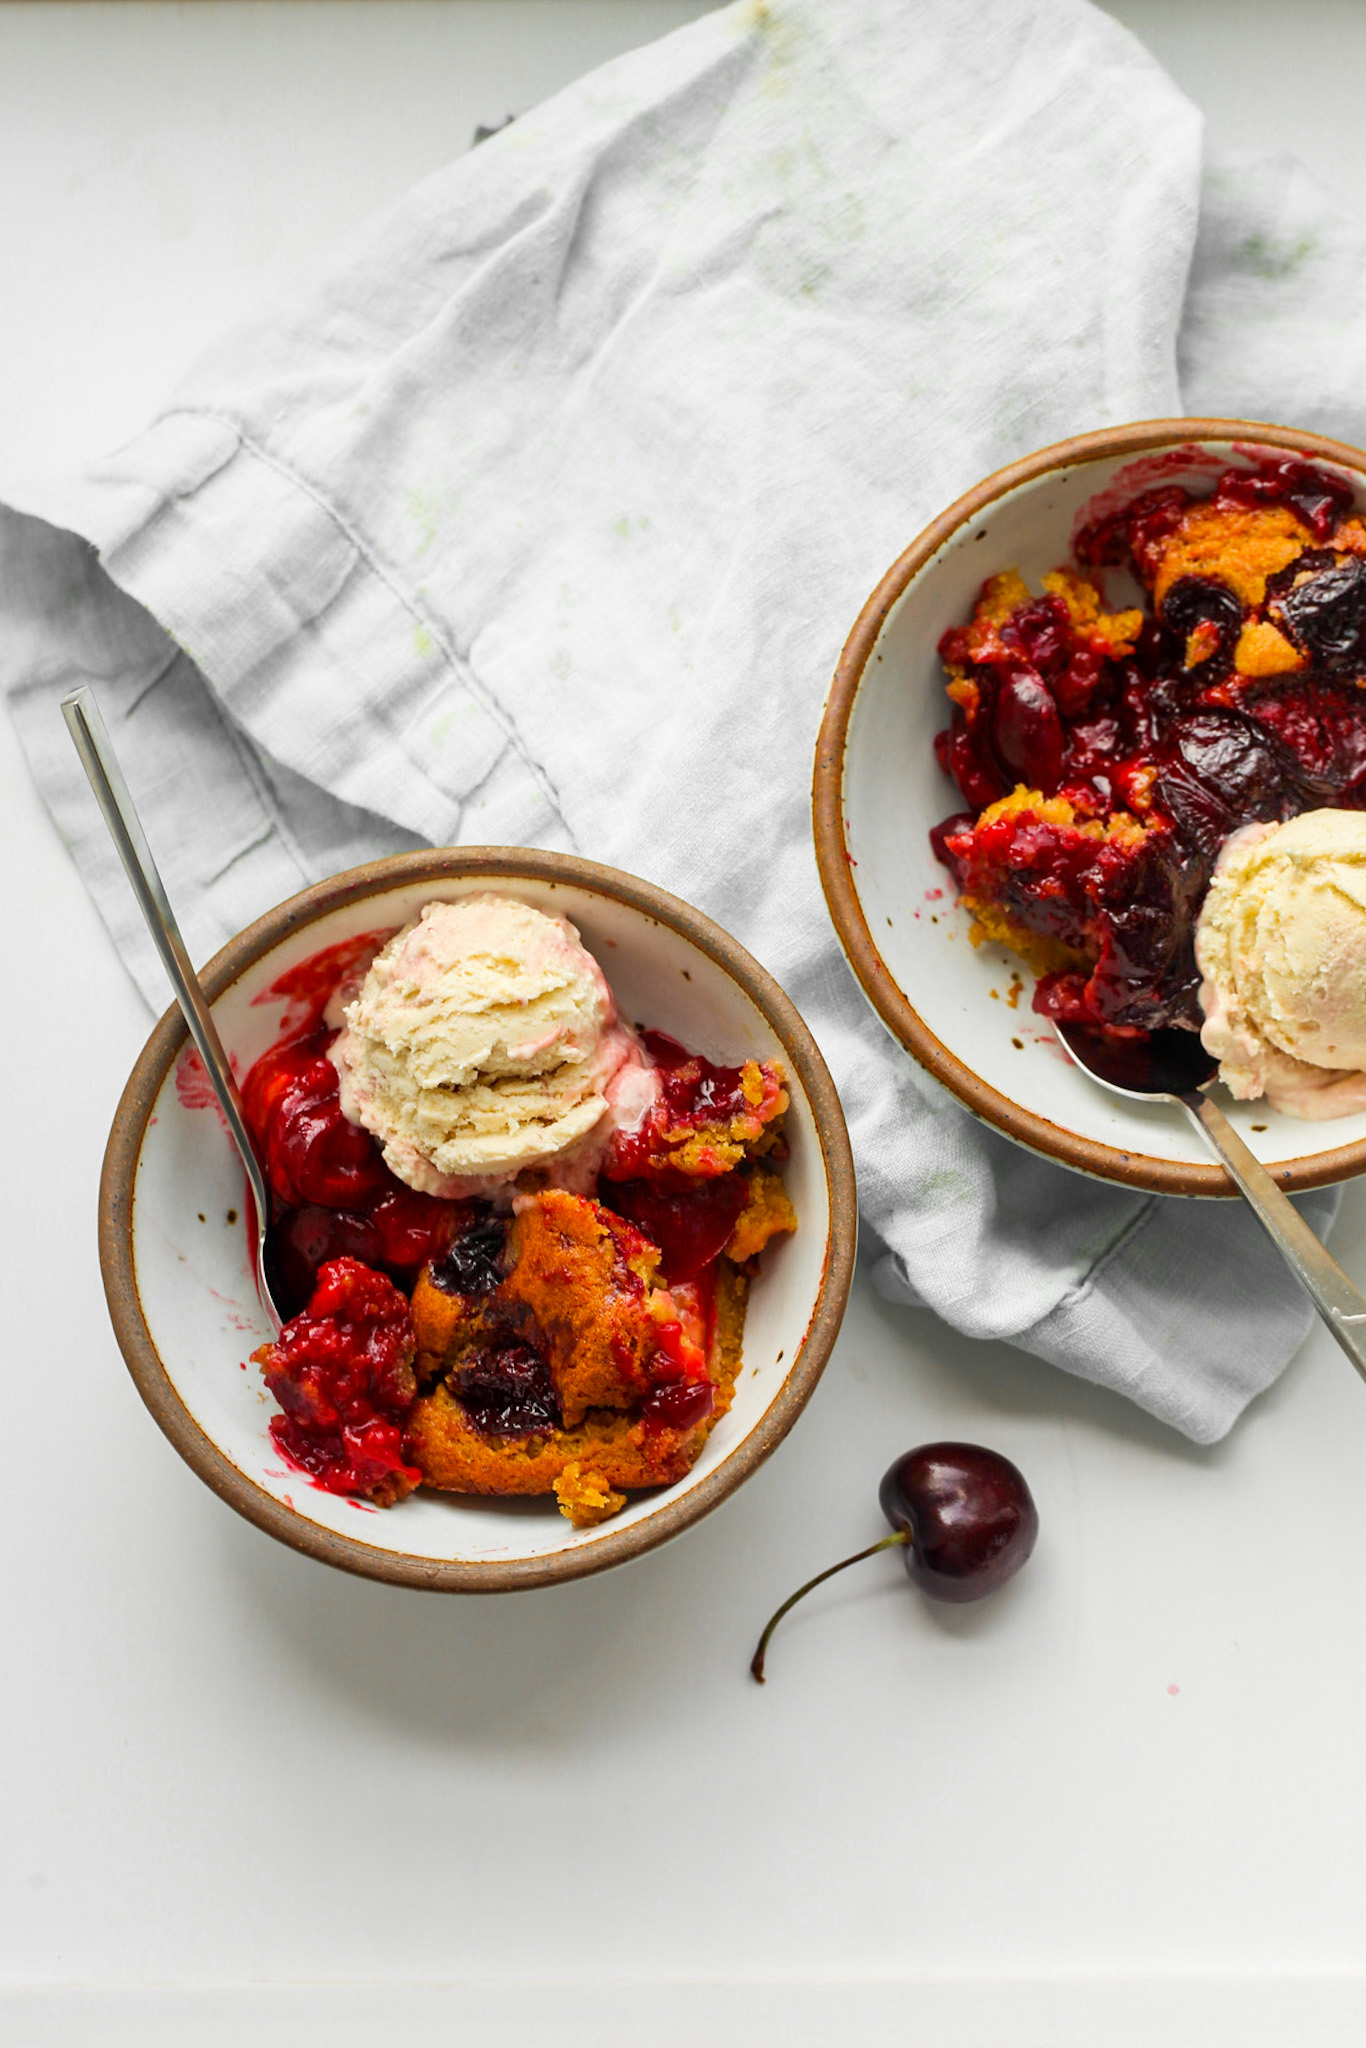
544 515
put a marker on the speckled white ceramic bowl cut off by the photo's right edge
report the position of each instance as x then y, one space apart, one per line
966 1011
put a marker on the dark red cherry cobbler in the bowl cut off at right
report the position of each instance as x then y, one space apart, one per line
1170 736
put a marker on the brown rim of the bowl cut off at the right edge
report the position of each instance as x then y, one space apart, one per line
833 855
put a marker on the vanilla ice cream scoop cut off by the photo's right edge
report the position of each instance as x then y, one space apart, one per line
1283 953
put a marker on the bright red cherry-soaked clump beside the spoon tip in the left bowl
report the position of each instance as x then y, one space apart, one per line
343 1373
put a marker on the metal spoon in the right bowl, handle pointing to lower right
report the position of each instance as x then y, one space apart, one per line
1177 1068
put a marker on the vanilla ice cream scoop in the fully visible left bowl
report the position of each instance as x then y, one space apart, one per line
486 1041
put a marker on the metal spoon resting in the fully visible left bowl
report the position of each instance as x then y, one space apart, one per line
112 794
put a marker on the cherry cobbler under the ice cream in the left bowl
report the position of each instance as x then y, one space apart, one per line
572 1340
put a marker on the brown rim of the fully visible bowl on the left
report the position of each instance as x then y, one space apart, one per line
234 1486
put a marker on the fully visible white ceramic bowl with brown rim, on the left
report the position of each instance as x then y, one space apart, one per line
177 1267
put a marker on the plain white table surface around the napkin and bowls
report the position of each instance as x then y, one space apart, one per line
251 1799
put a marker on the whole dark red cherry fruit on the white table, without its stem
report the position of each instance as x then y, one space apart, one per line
970 1514
